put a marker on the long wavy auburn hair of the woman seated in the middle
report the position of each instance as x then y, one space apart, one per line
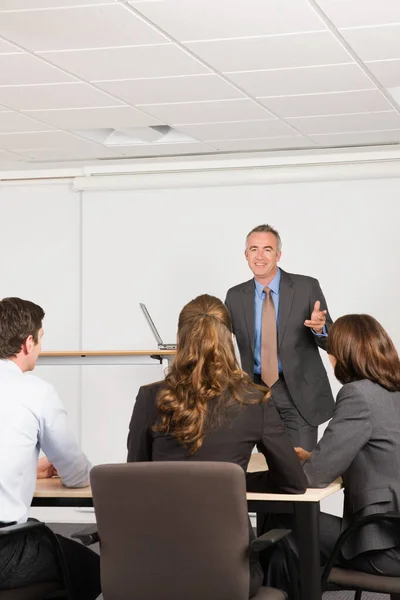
205 375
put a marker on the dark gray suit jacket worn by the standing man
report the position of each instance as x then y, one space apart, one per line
303 369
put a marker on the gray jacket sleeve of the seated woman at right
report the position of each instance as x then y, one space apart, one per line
348 431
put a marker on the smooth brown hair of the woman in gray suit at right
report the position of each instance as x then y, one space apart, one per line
363 350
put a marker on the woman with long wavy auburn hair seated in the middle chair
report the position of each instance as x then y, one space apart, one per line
207 409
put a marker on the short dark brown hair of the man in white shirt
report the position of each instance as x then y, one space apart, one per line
18 320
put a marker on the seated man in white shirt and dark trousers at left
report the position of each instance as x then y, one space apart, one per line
32 417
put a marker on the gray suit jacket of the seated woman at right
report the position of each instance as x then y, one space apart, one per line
362 444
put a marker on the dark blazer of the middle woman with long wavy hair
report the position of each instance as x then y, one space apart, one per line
240 428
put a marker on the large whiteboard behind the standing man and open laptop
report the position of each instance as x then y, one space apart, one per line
164 247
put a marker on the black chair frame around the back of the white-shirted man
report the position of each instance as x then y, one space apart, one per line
46 590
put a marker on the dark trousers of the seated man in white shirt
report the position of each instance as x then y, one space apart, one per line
30 558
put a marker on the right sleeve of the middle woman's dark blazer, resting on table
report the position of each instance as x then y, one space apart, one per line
284 474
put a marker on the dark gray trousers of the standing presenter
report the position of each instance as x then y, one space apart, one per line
301 433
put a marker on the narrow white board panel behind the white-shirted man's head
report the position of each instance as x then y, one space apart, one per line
40 255
